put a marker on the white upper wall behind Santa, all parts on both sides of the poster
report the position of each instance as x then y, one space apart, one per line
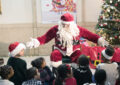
20 11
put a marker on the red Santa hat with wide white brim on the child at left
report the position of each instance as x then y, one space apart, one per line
15 48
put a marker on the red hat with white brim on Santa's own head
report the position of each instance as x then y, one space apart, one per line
67 18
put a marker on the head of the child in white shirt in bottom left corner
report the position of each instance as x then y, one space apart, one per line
6 72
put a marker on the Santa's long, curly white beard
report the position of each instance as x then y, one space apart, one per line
67 35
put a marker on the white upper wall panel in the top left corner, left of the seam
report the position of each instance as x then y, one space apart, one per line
16 11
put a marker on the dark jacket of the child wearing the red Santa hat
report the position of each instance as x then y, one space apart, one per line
20 68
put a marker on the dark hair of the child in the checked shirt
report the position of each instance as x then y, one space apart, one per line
31 72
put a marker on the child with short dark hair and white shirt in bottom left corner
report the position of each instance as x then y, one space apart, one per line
6 72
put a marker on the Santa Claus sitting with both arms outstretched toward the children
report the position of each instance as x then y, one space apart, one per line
67 39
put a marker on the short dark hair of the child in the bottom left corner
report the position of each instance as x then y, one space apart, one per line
5 71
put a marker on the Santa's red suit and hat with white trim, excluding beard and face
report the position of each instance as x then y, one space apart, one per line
61 48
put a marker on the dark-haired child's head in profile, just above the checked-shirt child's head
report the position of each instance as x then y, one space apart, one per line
39 63
